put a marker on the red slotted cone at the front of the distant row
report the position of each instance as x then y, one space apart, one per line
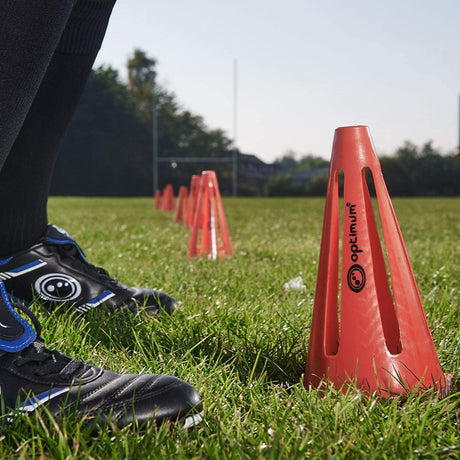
210 218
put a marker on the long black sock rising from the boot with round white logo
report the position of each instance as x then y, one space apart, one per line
26 174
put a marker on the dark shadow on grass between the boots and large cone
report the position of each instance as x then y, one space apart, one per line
278 357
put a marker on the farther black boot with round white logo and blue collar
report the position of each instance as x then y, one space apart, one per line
56 270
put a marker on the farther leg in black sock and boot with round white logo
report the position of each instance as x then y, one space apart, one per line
63 273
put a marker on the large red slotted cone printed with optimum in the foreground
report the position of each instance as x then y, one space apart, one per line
383 342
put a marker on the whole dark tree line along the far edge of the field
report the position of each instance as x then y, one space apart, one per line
108 148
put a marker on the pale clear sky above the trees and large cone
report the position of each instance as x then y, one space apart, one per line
303 68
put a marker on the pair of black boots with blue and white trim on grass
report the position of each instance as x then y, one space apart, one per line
56 270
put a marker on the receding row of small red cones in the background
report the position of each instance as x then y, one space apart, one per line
202 211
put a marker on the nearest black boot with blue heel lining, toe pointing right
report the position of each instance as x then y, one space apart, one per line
31 375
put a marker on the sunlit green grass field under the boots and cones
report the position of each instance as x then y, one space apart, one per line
242 339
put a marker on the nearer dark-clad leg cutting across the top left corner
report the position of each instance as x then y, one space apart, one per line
29 34
